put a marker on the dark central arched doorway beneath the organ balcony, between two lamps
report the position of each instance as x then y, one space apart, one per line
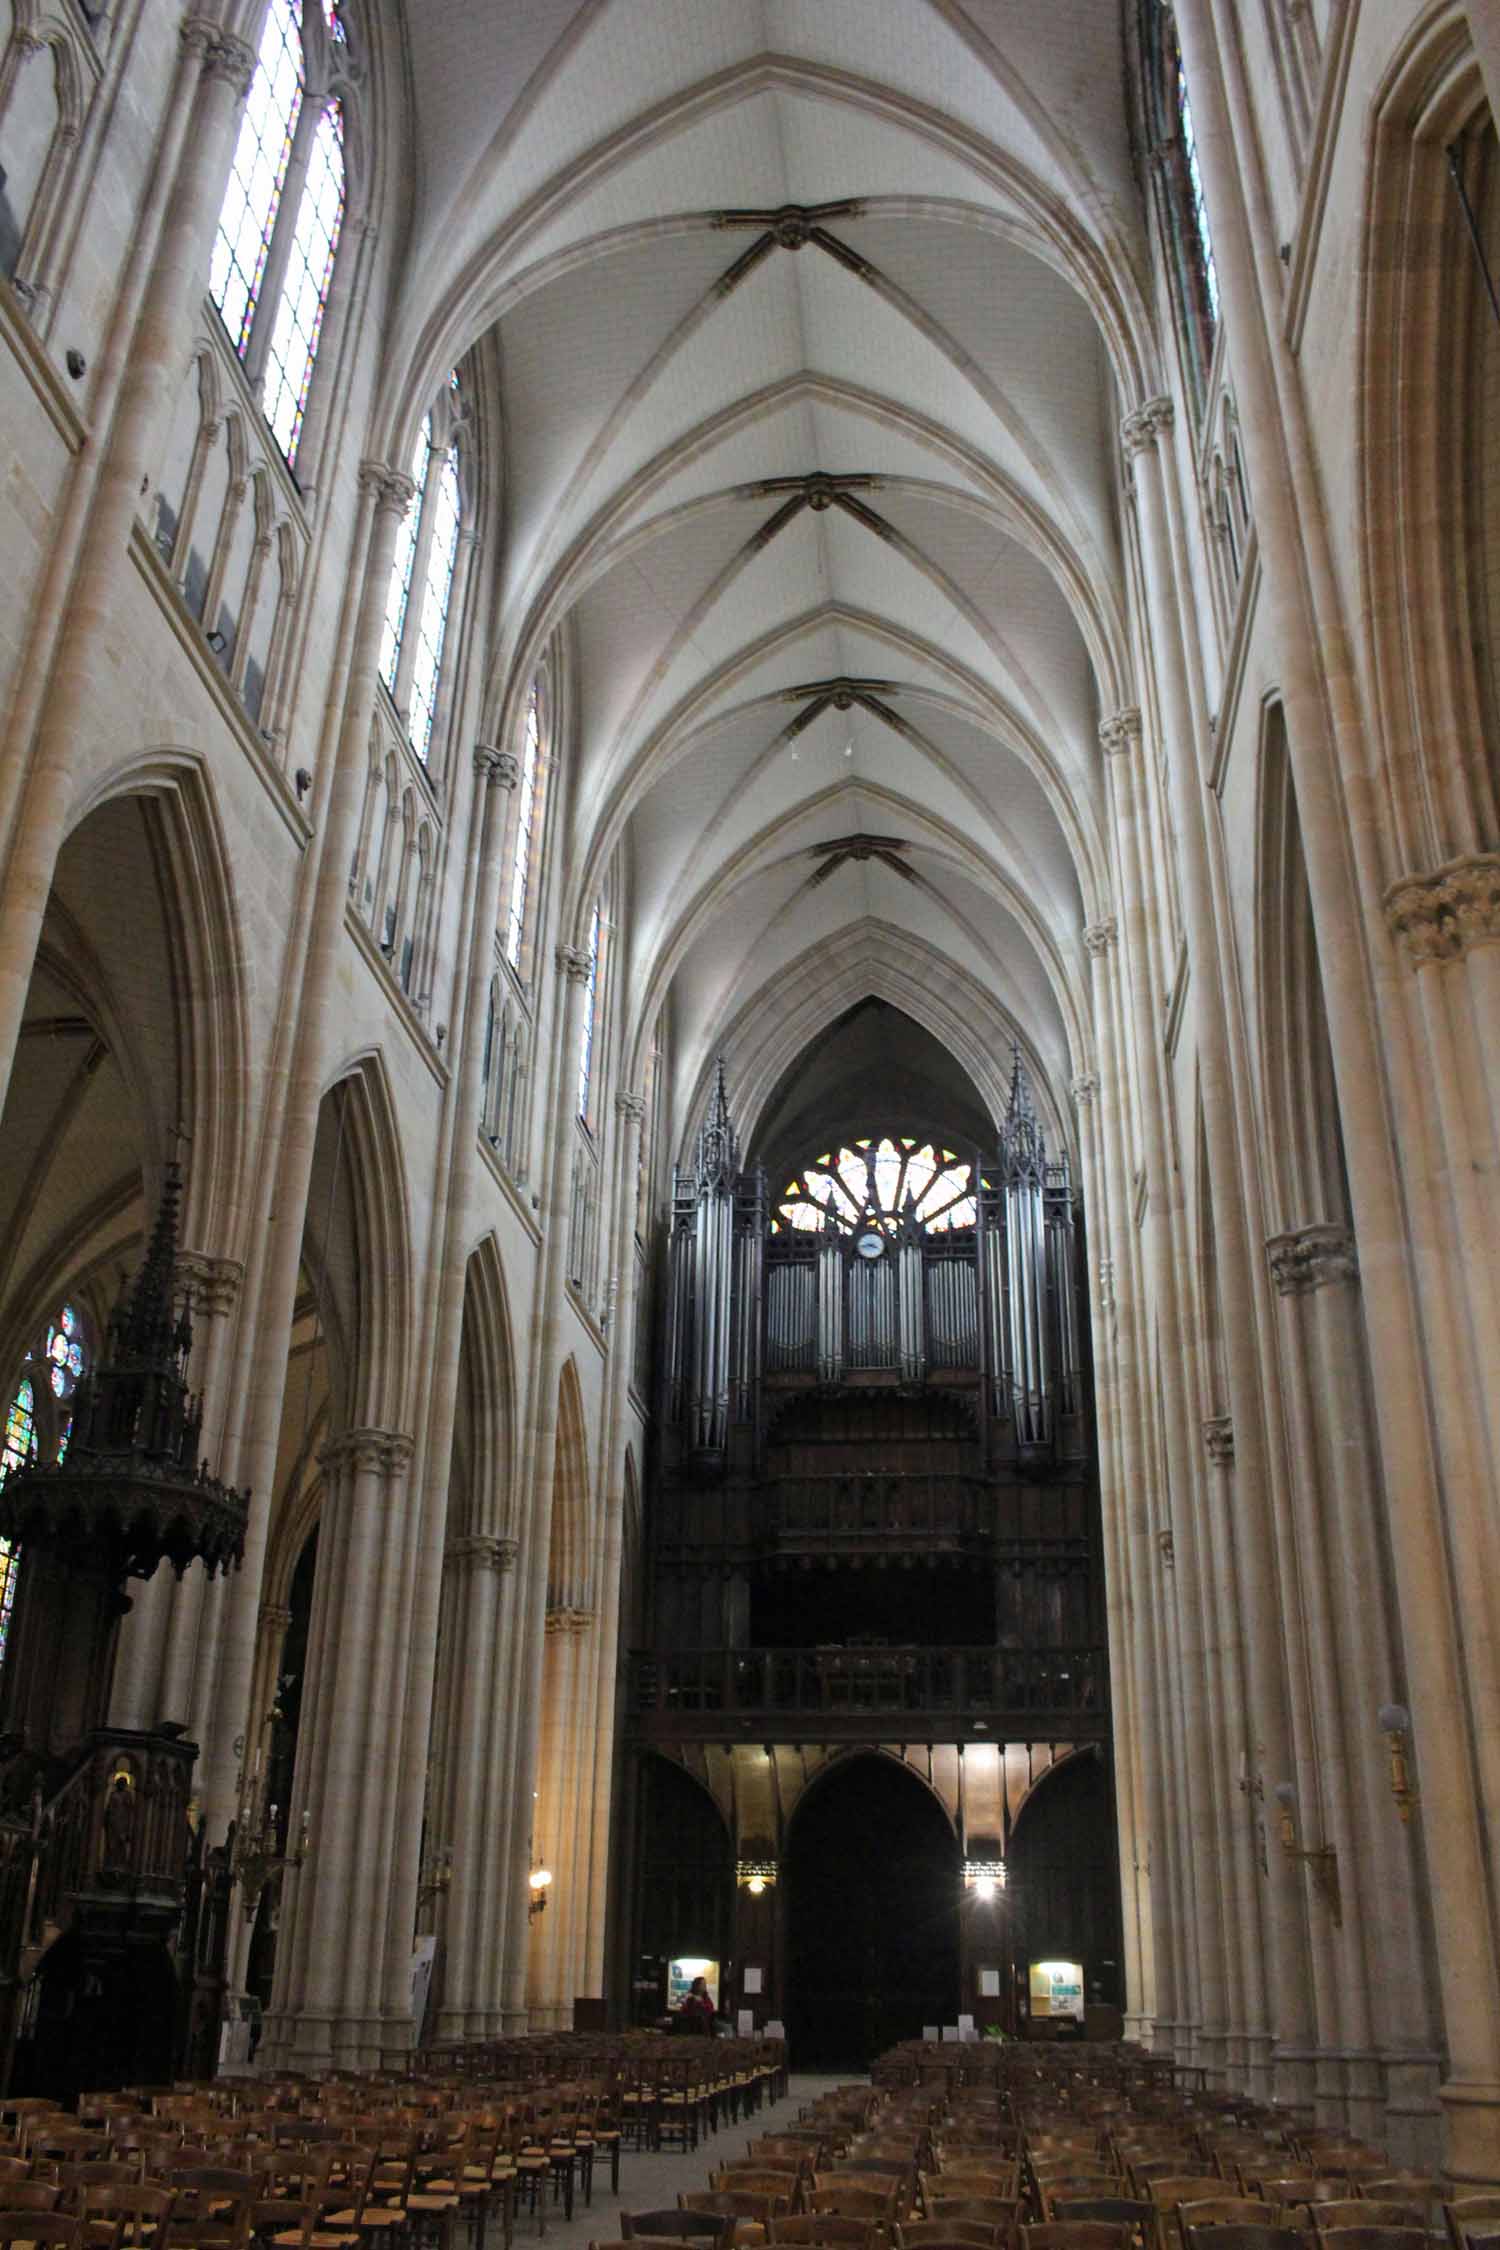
871 1916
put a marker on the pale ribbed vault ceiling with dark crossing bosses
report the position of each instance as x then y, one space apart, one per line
813 323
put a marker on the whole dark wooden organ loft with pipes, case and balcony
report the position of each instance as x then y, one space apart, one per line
871 1513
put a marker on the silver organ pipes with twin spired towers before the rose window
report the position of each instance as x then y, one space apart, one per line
860 1284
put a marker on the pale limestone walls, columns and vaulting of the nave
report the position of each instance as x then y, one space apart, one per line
934 510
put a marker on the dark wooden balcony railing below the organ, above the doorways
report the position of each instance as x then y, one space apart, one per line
842 1693
